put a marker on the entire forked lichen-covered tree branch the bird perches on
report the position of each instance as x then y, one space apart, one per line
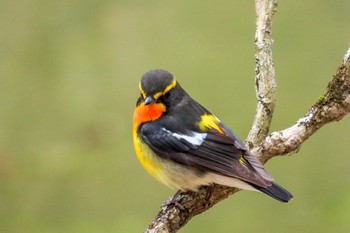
332 106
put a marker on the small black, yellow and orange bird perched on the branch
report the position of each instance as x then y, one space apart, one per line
185 146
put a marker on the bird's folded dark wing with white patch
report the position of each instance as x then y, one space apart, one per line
212 151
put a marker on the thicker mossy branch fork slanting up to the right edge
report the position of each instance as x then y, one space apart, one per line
332 106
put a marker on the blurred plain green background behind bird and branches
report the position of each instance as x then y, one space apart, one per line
69 73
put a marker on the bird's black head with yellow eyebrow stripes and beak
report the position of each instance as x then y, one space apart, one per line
156 85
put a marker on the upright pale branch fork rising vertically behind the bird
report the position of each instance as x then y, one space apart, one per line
265 83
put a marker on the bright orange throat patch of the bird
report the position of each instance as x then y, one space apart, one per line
144 113
